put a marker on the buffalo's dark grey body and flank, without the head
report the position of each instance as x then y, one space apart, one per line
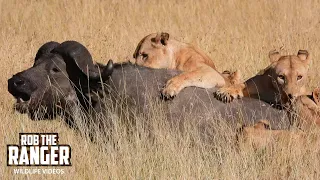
143 84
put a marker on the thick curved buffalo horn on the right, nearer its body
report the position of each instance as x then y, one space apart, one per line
76 56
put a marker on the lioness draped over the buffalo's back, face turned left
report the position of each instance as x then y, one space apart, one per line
157 50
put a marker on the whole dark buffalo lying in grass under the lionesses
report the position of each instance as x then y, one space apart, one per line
64 76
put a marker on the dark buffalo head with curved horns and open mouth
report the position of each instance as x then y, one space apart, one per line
62 76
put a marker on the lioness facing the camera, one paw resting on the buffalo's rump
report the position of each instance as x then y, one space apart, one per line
282 80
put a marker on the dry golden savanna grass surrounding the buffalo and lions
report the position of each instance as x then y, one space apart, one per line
235 34
